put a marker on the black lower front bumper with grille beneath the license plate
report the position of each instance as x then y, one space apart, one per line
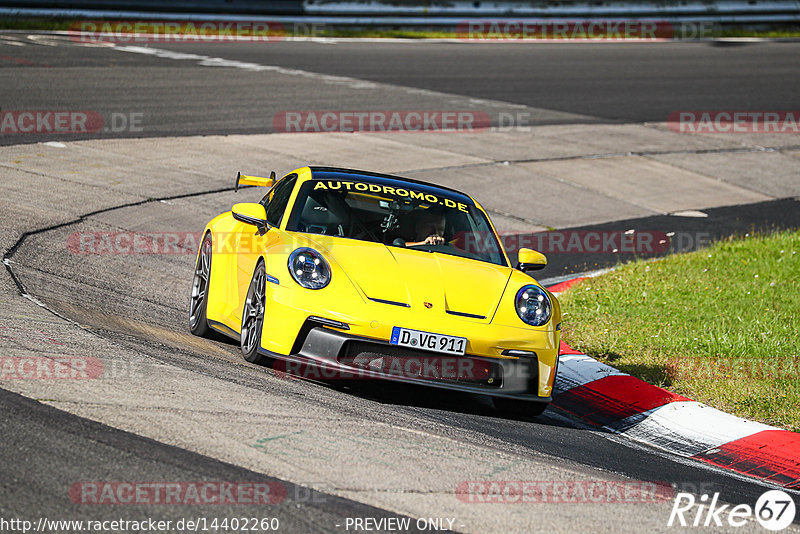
329 354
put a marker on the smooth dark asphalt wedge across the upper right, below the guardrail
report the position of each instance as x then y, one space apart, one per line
612 82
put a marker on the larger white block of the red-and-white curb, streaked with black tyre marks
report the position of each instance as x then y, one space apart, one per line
688 428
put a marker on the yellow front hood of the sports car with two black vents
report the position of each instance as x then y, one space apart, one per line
446 284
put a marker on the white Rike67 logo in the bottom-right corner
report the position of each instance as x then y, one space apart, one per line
774 510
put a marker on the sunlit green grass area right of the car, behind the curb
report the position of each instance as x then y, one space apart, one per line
720 325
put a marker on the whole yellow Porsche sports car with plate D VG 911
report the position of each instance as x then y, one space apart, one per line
339 273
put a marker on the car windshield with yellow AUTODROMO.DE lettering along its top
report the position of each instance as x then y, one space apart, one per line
396 216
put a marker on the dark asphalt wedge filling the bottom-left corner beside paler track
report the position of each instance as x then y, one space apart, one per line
79 449
